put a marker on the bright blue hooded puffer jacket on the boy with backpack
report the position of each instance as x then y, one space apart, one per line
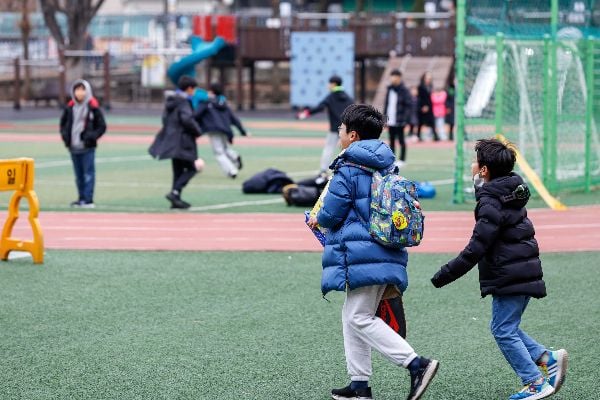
351 257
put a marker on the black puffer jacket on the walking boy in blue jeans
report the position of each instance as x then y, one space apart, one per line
503 244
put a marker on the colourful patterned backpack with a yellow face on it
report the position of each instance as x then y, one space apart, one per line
395 217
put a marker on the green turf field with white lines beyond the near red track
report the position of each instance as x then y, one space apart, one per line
129 180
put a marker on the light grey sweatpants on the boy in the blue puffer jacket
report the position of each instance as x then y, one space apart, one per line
363 330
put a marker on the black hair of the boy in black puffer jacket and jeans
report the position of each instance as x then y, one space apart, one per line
499 158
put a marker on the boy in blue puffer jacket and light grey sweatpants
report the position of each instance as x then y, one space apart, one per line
354 262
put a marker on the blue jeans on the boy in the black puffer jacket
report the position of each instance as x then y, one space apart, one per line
520 350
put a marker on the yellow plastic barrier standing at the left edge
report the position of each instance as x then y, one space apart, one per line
17 175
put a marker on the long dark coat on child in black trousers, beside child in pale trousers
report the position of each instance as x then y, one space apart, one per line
177 137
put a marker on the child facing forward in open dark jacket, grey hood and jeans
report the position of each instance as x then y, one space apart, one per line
81 125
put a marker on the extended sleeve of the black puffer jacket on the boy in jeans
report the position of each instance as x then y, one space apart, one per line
484 235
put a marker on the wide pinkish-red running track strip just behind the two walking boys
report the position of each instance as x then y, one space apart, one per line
577 229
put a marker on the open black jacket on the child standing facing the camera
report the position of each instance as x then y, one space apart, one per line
95 125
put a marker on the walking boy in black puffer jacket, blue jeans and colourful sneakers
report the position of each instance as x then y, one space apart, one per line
504 246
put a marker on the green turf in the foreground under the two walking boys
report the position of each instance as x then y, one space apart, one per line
121 325
